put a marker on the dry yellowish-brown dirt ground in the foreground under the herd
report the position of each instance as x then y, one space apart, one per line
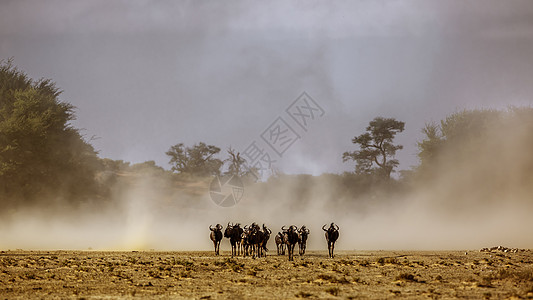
202 275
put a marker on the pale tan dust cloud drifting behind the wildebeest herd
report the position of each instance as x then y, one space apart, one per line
476 193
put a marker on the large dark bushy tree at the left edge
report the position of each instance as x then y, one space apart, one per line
42 156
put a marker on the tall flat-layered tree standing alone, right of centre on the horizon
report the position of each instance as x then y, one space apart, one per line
376 148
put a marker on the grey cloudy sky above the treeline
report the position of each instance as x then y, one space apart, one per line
146 75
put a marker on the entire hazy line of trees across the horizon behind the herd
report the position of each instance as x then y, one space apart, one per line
480 154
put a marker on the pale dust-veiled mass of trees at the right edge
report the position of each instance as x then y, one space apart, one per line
478 156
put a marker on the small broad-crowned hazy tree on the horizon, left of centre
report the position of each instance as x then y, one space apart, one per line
196 160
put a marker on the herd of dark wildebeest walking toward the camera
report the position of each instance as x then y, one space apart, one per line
251 240
